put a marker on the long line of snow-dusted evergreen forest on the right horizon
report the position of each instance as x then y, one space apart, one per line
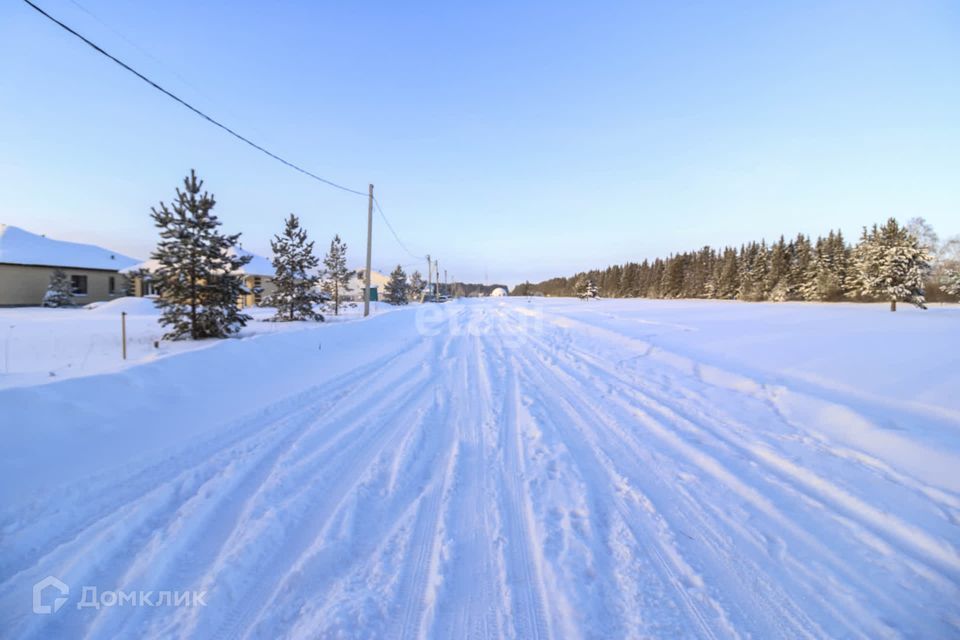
889 263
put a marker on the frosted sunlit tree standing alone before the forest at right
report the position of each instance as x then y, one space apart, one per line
892 265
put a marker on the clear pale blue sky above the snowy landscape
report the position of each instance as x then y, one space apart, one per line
513 140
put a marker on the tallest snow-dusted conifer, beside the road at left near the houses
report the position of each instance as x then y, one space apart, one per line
197 277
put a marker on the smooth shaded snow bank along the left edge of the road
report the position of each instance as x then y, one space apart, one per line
54 433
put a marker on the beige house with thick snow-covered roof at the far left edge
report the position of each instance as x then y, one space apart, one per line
28 260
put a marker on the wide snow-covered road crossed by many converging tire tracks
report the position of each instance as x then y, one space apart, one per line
518 472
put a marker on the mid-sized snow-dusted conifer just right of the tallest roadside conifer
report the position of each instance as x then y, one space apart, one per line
296 296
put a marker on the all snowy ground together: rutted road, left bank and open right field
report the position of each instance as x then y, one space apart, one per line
501 468
